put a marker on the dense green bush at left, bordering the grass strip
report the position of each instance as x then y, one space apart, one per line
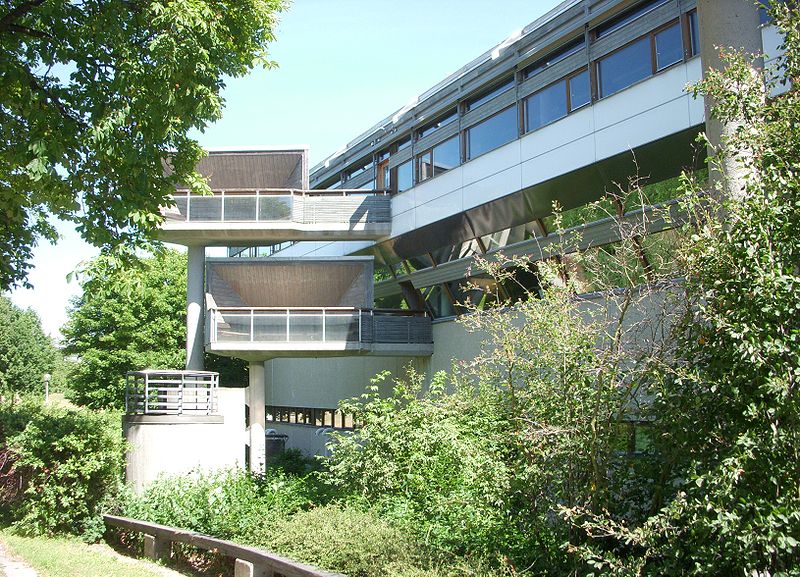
70 461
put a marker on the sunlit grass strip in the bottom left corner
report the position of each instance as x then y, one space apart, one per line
64 557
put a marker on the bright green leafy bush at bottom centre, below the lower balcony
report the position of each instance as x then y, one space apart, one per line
430 461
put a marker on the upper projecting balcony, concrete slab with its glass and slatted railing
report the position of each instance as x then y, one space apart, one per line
242 216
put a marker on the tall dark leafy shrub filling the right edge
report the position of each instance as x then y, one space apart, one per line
727 405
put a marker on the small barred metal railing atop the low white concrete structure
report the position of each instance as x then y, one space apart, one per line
171 392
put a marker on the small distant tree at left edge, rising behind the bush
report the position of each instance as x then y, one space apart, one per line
26 353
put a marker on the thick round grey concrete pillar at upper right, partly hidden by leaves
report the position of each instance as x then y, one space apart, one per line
726 24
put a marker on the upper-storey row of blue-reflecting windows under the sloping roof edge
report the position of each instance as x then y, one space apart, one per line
636 61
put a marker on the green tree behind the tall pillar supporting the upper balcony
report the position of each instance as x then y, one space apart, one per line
131 319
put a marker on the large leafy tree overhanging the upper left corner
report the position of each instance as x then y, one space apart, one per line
97 97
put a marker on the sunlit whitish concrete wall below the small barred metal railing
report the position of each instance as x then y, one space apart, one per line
175 445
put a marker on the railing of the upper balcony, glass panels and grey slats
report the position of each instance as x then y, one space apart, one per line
281 206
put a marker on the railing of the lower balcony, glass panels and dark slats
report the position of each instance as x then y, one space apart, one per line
318 325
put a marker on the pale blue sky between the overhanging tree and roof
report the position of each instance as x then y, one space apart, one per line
343 65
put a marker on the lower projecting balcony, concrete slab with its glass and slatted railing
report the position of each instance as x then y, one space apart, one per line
258 333
